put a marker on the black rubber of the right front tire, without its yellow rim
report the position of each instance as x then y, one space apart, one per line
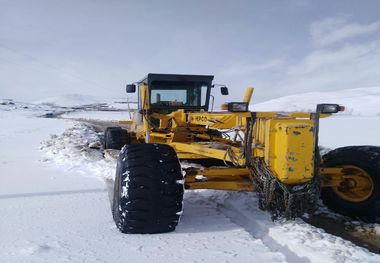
366 158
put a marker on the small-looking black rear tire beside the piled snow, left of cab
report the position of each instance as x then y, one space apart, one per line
115 138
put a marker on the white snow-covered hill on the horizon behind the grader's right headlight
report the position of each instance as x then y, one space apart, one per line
359 102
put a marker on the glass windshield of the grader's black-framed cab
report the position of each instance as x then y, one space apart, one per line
178 94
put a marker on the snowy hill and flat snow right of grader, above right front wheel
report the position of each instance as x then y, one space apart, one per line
357 125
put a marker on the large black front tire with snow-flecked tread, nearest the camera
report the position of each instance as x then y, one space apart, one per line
148 191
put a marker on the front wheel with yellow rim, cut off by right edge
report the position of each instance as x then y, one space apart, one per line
358 195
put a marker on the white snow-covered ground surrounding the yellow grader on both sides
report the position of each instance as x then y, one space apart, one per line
54 205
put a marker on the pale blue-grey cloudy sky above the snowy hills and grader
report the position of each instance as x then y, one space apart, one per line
54 47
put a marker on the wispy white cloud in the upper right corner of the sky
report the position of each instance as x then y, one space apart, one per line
332 30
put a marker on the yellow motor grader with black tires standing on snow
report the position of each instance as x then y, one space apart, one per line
275 154
